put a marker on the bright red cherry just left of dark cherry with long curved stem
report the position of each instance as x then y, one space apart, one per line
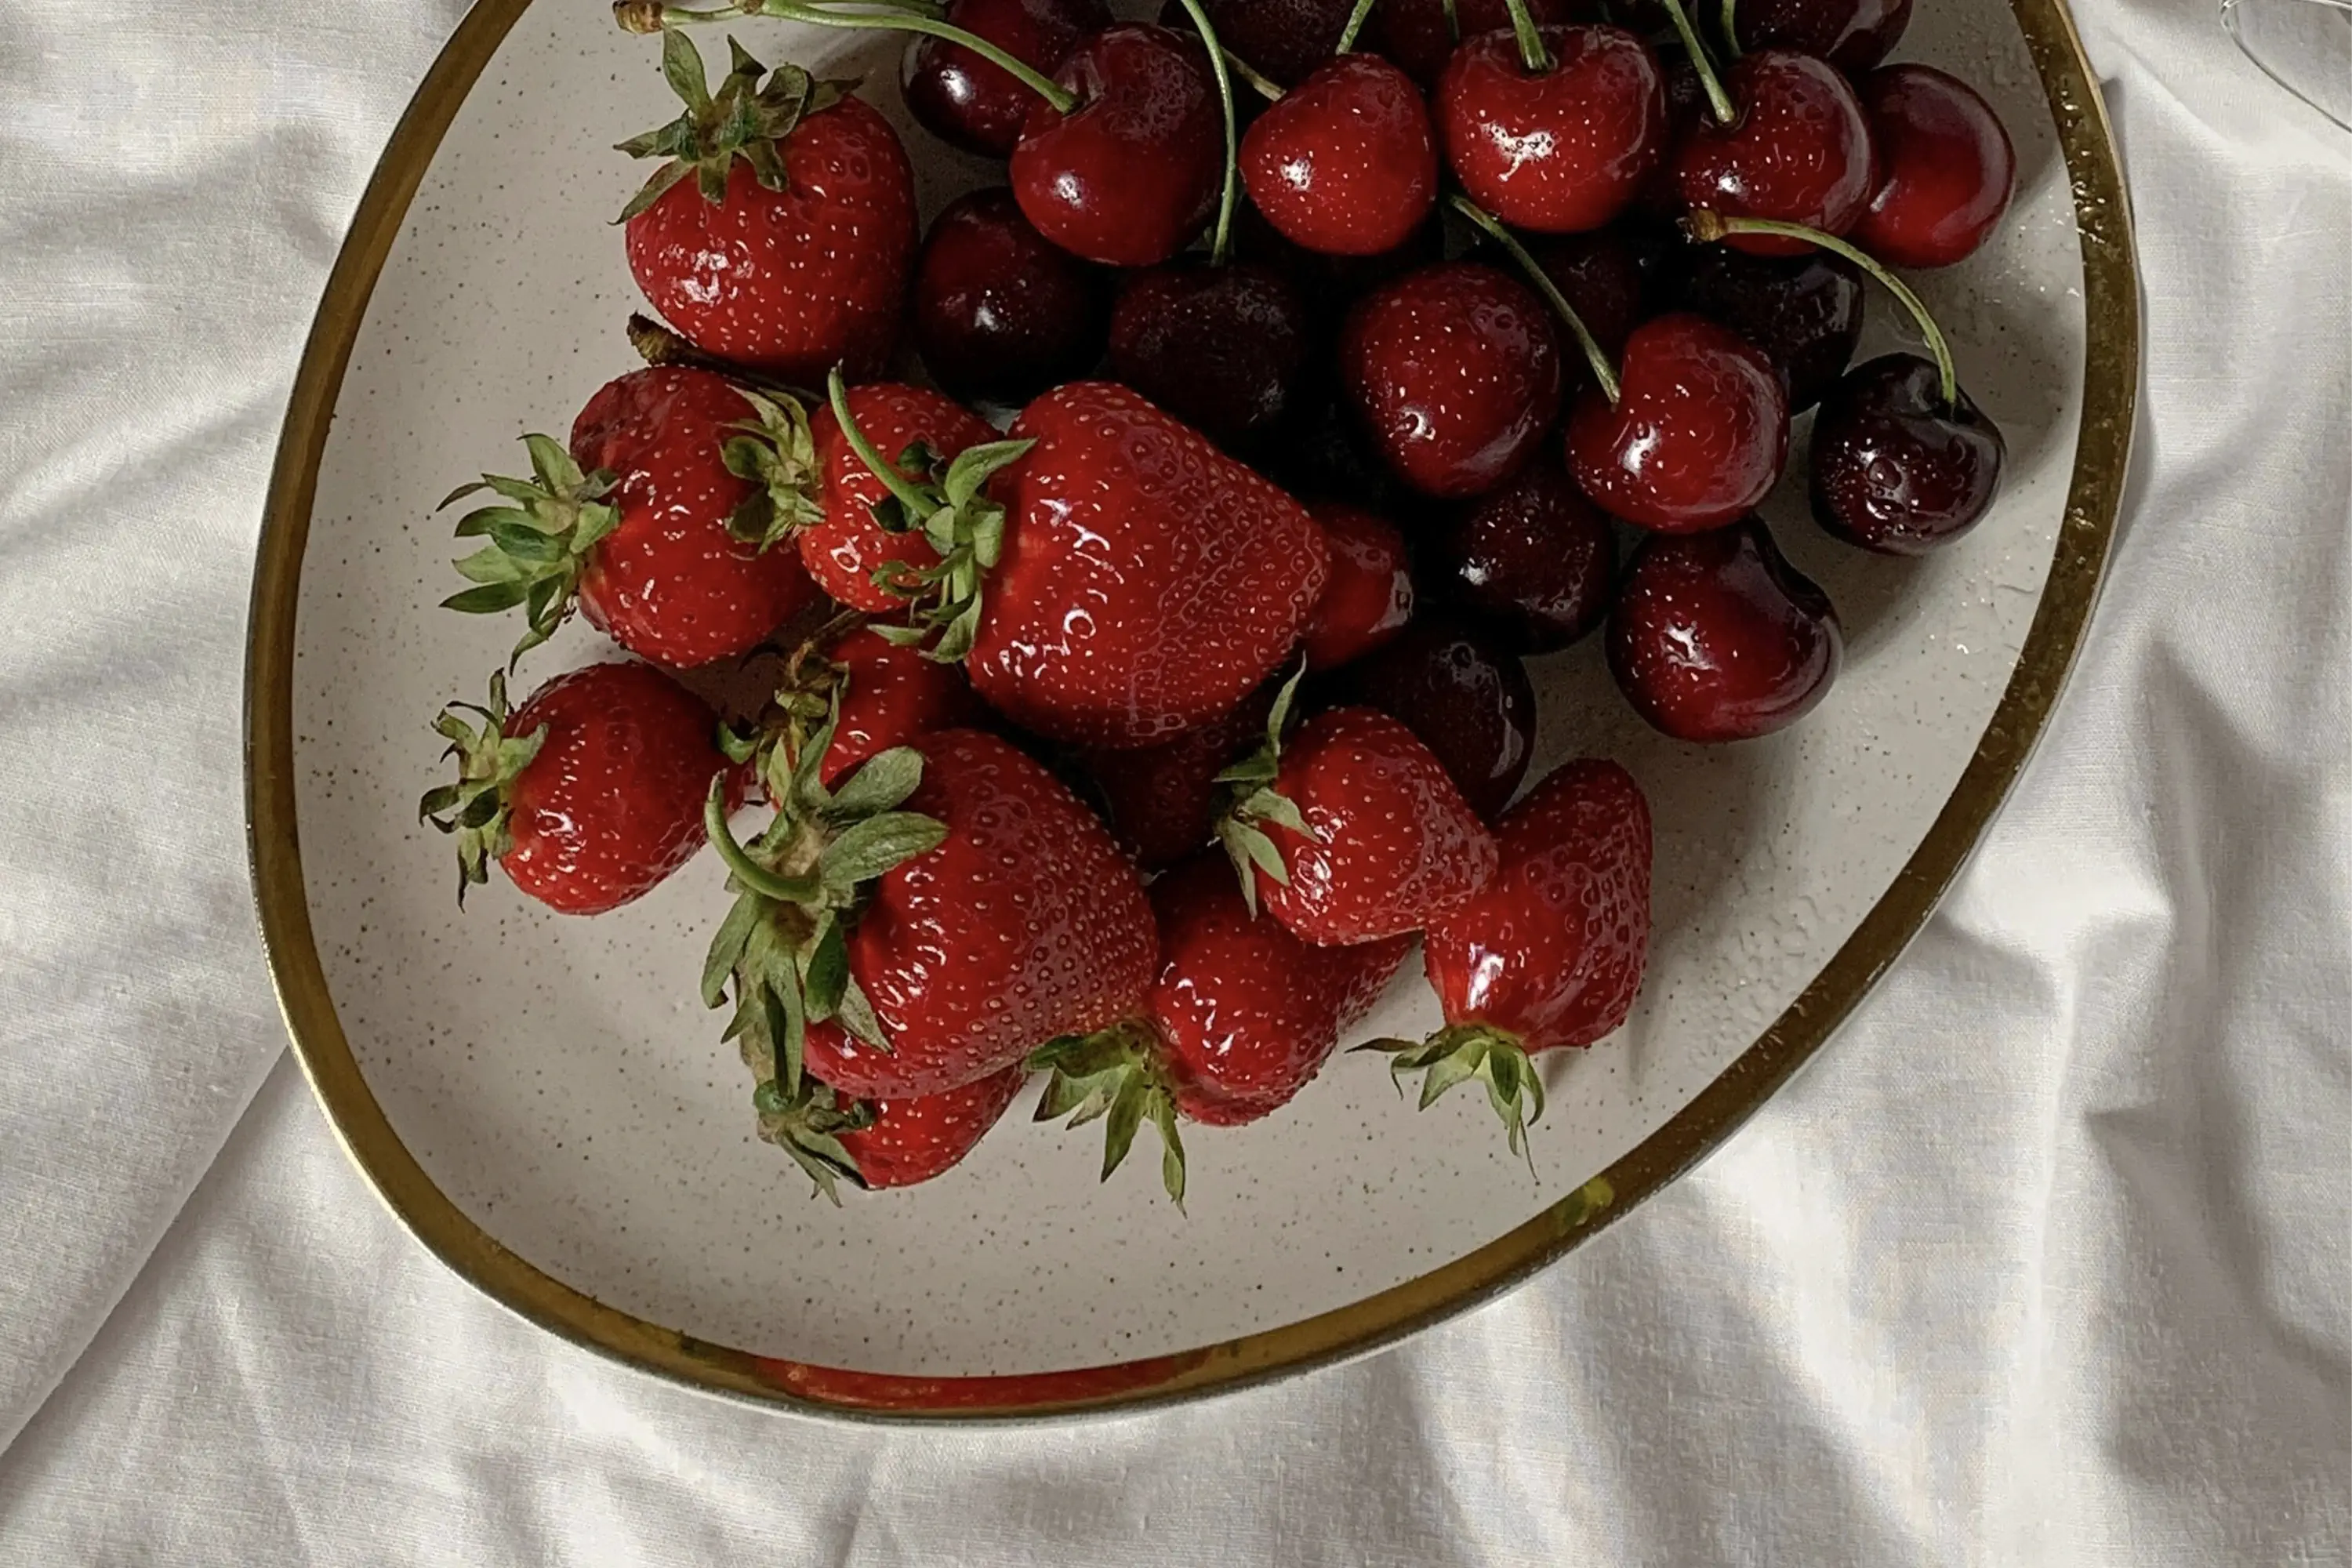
1697 436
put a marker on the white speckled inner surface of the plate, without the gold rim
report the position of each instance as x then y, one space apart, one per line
559 1078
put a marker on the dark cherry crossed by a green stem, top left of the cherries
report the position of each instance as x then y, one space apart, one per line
975 105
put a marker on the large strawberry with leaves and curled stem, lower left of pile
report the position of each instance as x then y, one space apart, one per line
926 925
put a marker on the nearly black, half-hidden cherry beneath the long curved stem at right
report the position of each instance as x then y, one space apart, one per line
1803 311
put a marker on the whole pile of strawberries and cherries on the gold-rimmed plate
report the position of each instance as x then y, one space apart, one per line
1137 744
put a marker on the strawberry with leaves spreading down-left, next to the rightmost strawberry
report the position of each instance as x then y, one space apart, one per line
1238 1021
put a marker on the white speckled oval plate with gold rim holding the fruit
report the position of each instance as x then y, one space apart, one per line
549 1106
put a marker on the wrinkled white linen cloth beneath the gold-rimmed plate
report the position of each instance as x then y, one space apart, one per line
2045 1261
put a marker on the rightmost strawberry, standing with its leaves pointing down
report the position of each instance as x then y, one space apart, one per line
1551 953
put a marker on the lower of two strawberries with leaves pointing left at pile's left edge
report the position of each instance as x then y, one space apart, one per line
592 793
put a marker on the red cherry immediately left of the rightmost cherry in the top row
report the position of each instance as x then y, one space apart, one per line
1798 149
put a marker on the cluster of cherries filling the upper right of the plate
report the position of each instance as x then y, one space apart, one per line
1325 337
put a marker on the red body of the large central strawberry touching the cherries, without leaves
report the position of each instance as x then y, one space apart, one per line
1149 582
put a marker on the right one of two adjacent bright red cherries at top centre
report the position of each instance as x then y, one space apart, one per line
1553 130
